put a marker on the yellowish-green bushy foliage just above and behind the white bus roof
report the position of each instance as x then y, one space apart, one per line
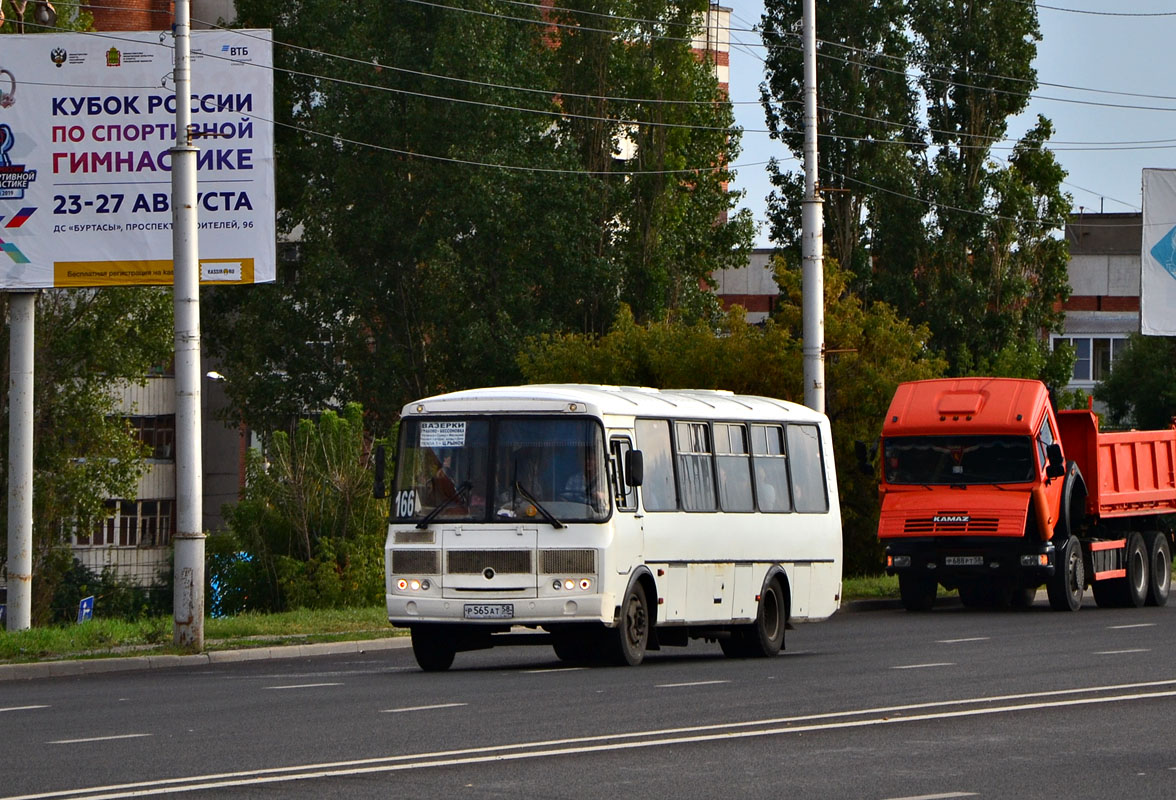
872 351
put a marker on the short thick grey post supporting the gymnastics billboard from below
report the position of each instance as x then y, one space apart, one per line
22 309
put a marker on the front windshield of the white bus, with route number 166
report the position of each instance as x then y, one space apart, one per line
502 469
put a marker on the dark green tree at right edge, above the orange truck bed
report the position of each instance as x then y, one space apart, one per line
1141 389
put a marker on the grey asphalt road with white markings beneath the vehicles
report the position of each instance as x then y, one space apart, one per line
877 705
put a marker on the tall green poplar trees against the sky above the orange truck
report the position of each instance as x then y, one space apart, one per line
952 238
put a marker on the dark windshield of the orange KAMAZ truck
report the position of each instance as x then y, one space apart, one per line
958 461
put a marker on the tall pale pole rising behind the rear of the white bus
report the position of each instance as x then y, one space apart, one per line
812 235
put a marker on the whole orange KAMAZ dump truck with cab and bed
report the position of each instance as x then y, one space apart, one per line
986 490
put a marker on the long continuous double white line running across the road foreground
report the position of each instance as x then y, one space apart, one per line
617 742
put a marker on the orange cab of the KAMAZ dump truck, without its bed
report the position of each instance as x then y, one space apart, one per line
973 476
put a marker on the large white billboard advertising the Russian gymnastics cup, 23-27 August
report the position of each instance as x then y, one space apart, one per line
88 122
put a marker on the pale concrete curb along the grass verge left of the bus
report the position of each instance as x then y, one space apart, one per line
77 668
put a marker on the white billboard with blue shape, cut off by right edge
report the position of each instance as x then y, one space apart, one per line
1158 279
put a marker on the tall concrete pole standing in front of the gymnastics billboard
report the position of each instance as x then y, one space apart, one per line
190 537
